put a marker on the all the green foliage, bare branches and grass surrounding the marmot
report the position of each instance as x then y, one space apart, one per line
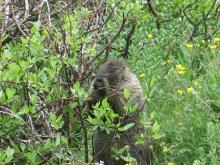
48 59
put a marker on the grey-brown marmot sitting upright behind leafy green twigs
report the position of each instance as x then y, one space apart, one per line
110 81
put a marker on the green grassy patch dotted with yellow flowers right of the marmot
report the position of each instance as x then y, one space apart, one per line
182 83
